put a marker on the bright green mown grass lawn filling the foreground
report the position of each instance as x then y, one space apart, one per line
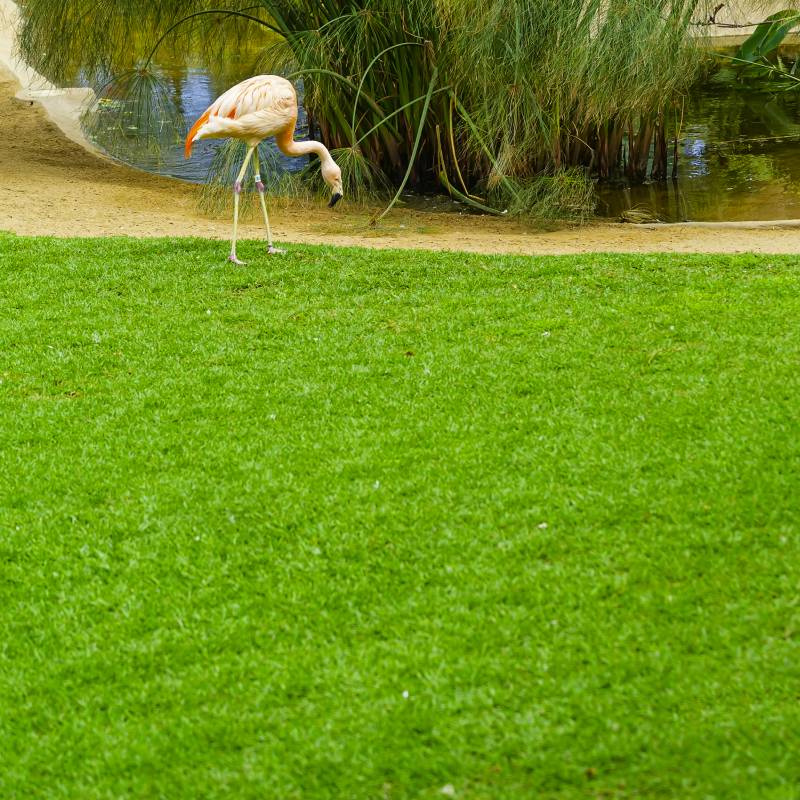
355 524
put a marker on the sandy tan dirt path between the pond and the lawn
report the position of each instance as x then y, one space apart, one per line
50 185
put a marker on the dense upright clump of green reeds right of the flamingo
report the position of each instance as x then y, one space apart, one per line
541 86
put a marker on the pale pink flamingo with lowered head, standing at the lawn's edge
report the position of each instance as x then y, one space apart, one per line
262 106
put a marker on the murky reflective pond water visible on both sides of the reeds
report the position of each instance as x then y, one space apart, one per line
739 153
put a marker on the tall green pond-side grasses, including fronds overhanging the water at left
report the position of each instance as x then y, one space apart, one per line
508 101
